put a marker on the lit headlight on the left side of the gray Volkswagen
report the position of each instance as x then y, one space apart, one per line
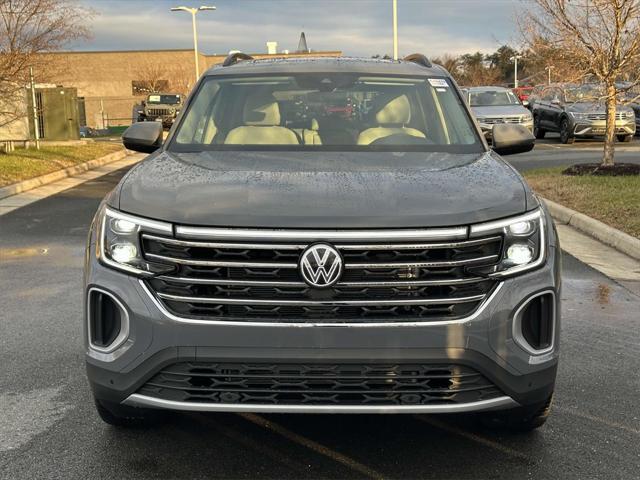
119 246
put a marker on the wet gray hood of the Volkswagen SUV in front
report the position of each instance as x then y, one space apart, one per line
322 189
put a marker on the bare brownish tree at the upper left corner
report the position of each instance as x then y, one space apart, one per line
29 28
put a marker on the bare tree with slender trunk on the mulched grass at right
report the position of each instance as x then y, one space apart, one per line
595 38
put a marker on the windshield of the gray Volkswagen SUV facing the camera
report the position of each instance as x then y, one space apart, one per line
326 111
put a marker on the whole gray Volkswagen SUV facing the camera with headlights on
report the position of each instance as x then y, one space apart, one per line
323 235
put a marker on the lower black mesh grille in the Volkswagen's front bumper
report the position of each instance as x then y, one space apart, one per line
320 384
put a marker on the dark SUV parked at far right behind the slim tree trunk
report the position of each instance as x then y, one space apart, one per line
578 111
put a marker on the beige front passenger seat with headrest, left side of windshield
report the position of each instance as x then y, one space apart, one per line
261 117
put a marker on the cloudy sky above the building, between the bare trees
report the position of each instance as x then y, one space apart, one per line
357 27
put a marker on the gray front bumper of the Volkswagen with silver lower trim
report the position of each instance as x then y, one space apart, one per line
484 343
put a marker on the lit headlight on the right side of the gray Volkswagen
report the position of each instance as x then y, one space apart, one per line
524 246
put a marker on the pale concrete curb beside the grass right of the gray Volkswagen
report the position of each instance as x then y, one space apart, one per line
595 228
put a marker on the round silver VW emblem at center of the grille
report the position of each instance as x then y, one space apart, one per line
321 265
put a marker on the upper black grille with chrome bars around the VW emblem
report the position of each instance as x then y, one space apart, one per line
223 280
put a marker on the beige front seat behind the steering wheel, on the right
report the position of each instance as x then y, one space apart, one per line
391 119
